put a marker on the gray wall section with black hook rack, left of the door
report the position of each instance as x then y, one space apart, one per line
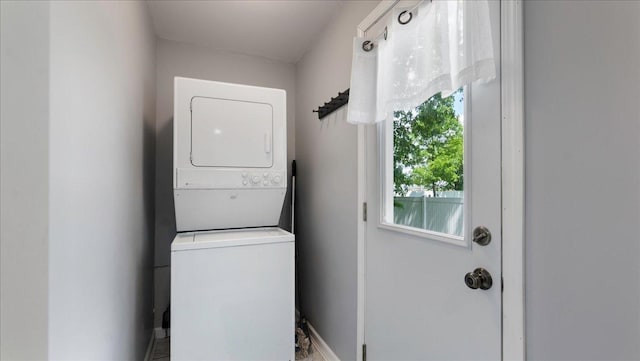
326 210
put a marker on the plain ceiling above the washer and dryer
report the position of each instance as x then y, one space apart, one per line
276 29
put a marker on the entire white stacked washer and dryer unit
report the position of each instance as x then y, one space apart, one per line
232 269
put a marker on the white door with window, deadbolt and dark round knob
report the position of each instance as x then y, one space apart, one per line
417 303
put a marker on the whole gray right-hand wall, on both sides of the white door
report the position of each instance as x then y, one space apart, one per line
582 143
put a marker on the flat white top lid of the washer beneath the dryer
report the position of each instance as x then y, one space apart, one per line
230 238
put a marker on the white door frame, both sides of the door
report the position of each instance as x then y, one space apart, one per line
512 149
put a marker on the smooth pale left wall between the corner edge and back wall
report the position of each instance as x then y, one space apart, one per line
102 103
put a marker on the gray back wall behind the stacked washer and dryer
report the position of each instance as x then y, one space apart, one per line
180 59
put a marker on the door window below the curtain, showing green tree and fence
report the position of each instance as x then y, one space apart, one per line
423 163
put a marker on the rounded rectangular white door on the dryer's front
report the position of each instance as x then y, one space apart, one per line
231 133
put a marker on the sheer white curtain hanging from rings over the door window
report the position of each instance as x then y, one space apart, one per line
447 44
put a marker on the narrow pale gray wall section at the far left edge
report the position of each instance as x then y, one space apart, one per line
24 168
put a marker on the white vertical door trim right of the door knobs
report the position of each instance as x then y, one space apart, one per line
512 89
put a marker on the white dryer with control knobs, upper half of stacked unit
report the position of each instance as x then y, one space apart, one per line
230 155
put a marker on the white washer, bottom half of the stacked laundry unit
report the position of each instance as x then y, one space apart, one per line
232 295
